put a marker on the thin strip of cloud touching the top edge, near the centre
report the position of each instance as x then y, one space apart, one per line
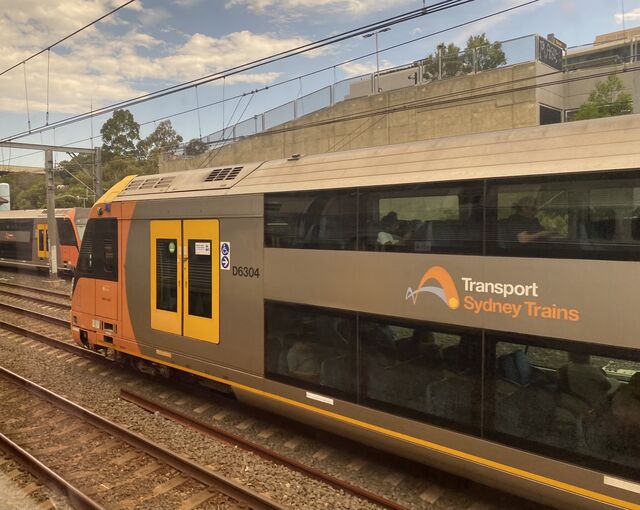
297 8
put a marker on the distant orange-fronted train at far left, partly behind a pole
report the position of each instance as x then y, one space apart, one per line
24 237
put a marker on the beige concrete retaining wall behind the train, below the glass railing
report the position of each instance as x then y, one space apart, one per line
434 110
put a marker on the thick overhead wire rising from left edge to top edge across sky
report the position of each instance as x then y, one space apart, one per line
438 7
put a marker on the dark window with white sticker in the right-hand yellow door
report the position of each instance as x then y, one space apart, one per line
200 279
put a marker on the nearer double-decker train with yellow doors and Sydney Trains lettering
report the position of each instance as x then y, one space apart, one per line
470 302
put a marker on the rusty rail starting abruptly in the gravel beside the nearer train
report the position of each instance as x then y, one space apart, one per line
258 449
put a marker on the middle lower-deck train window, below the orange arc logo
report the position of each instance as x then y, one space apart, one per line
412 369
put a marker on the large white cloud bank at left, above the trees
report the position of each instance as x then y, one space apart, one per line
97 69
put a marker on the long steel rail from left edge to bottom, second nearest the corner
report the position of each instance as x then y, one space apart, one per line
197 472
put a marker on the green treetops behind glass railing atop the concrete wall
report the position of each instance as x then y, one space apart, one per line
479 54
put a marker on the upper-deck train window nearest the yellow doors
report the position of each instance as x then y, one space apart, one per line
319 220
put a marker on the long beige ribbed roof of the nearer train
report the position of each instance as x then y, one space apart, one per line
602 144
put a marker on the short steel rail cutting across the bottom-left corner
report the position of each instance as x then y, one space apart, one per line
50 478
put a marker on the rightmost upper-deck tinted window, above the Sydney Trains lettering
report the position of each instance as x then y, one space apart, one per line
587 216
